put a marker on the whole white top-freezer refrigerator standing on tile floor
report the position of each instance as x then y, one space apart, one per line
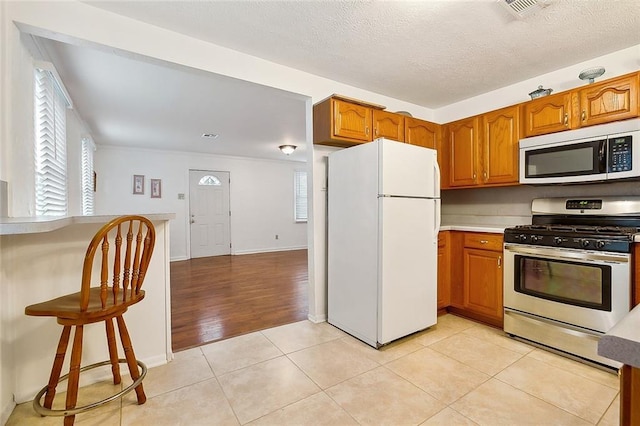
383 221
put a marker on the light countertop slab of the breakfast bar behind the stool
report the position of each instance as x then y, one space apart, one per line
35 225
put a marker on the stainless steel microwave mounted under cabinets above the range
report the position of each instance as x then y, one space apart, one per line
597 153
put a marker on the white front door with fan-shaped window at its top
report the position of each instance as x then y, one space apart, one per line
209 213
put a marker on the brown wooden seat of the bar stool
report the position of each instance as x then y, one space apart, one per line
68 307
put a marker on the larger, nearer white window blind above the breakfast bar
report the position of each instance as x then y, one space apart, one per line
51 145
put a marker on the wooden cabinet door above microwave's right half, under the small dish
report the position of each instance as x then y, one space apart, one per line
609 101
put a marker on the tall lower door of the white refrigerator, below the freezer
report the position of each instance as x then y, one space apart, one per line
408 266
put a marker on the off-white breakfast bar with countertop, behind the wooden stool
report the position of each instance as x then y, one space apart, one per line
42 258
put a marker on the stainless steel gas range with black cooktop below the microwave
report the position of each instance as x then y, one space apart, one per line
567 276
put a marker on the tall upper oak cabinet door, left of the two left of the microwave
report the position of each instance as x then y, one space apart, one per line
463 152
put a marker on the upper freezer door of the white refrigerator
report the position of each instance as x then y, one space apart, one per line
407 170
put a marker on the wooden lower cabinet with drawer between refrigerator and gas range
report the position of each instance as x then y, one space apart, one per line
476 276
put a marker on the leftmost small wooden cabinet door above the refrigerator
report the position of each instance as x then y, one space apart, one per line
351 121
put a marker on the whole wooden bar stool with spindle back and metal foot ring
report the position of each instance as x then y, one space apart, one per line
122 272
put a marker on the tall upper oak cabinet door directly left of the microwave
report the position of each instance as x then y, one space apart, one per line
500 136
